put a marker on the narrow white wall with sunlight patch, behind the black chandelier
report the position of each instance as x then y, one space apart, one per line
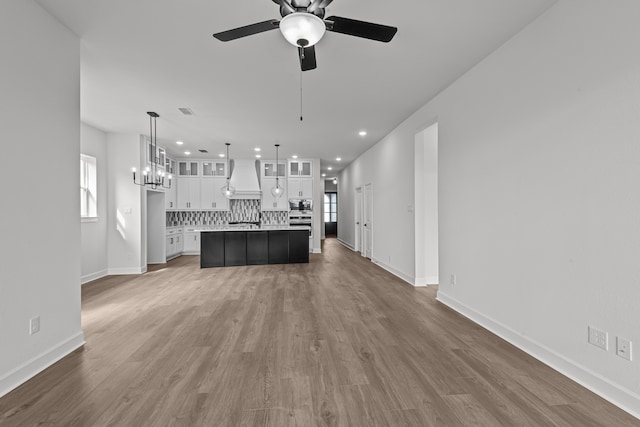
126 215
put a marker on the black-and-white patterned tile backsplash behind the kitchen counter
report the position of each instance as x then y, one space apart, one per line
240 211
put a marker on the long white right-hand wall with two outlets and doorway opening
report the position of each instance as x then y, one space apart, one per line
538 190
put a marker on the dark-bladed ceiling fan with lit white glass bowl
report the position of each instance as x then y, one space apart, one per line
303 25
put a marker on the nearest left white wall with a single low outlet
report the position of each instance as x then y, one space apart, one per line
40 215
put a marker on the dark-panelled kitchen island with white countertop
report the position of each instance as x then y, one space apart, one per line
254 246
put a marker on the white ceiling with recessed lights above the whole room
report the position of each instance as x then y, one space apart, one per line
159 55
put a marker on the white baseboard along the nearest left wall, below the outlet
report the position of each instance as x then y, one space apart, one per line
33 367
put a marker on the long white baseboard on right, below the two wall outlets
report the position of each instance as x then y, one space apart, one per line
620 396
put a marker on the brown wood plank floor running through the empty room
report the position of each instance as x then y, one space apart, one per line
336 342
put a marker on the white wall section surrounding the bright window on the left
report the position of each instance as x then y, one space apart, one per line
93 142
